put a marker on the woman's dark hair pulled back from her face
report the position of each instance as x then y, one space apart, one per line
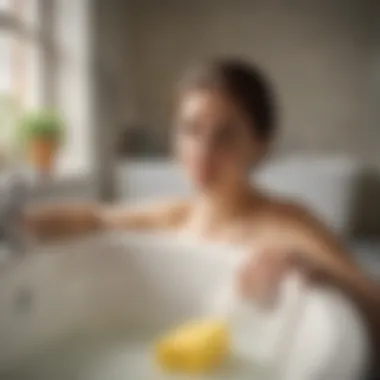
245 84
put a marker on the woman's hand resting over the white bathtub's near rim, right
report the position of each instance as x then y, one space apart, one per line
262 276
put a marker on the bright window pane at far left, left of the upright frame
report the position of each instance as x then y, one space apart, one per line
20 66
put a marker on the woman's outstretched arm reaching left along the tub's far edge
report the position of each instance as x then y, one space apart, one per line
55 220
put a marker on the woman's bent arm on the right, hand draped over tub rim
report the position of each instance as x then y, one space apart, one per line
297 240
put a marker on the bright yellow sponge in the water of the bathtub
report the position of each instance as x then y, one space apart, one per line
195 347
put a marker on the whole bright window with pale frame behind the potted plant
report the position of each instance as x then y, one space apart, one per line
44 61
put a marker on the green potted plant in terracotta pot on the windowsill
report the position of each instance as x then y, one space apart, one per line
42 132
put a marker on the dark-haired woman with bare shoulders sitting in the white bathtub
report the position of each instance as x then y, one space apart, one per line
225 124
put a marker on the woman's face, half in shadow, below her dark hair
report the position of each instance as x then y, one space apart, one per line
214 141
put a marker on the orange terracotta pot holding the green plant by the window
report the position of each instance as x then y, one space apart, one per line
42 154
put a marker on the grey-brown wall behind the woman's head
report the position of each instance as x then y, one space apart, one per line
323 57
